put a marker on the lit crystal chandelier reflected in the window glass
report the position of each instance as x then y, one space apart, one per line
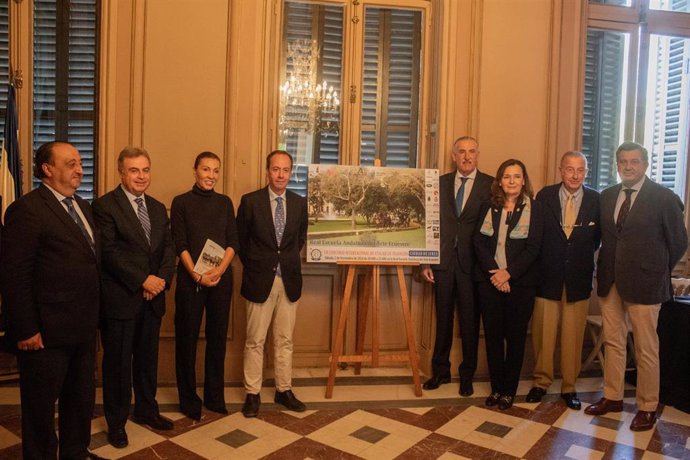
305 104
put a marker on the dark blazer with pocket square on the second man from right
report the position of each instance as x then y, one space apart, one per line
568 260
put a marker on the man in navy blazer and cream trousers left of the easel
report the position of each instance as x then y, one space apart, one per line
272 225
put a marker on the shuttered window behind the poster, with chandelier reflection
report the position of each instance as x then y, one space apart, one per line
350 84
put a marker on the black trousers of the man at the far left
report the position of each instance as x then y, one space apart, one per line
66 374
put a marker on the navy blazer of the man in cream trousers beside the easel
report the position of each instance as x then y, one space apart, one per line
259 250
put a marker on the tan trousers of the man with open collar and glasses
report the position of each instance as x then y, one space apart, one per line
545 320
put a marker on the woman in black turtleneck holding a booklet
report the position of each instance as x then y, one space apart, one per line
196 216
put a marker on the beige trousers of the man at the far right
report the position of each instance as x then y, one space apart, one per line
644 319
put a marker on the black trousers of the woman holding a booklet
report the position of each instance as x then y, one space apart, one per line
189 310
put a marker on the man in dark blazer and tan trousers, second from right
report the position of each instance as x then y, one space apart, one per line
571 235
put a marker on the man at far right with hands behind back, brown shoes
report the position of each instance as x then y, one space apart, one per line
643 236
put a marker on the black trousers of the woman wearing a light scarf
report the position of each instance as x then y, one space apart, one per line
505 318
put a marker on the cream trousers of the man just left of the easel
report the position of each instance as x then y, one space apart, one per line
279 311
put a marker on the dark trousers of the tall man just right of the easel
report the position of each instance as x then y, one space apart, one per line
455 290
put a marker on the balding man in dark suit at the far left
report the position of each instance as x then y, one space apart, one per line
50 290
